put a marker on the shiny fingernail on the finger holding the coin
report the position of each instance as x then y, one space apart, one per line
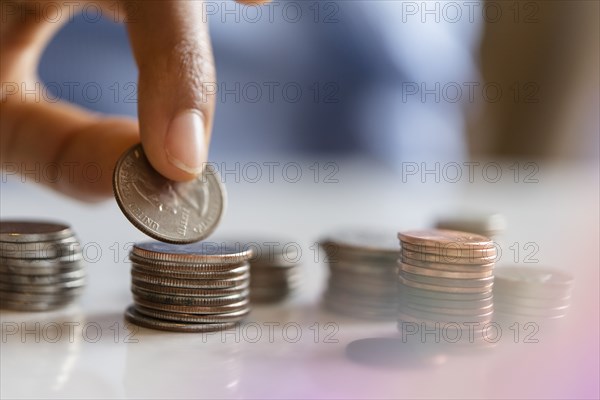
185 143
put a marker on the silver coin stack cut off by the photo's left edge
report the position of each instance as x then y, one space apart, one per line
41 265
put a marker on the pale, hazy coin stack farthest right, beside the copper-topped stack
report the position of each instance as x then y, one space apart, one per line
527 293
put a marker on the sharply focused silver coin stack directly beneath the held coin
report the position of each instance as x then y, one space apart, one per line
198 287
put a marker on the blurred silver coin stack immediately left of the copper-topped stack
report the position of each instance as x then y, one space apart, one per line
362 274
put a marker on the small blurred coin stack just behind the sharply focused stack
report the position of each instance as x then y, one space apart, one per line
274 270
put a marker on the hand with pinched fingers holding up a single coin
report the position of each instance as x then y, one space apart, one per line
171 46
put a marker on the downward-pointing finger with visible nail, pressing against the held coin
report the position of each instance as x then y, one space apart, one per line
176 103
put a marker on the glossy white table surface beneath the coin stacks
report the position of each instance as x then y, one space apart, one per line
101 356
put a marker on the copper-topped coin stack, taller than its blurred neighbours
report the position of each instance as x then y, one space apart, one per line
447 279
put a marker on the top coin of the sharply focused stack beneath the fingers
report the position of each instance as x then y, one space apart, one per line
194 253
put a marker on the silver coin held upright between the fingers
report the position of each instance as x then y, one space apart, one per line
174 212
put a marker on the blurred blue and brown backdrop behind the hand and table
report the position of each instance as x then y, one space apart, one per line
391 81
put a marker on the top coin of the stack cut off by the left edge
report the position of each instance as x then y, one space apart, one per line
32 231
